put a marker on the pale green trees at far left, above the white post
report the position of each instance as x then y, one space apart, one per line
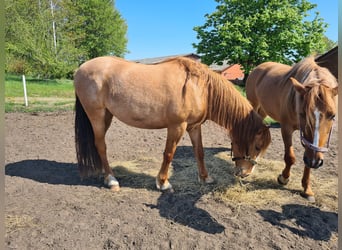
28 45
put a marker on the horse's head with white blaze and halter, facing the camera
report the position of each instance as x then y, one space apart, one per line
316 107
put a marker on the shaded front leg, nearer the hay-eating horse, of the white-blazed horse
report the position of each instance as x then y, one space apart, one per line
289 156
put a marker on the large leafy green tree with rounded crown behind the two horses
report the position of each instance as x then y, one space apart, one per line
250 32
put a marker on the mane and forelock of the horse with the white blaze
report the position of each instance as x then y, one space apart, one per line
313 77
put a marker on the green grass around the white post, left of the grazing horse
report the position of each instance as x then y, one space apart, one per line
43 95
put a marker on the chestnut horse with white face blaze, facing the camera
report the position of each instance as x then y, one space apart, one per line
300 97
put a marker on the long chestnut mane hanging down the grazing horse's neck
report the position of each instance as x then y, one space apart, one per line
226 106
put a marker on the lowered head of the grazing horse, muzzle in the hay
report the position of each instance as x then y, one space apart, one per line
245 155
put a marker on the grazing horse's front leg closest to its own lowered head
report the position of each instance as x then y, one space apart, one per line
196 140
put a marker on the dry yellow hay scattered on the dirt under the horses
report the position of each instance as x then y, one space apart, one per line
258 190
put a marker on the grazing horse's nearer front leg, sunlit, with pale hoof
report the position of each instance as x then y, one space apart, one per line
174 134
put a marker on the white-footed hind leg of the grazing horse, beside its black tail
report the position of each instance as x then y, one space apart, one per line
100 120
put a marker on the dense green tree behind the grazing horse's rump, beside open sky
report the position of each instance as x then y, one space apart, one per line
95 27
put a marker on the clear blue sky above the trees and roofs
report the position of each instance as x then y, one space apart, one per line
164 28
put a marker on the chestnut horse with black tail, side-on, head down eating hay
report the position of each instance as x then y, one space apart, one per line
178 94
